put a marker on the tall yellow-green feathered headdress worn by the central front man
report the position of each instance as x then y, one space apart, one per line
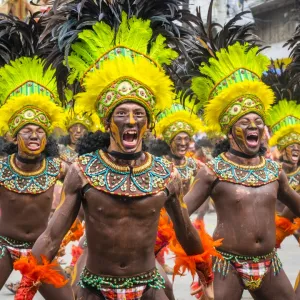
122 66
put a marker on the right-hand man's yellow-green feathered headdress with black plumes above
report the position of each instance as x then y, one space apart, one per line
228 84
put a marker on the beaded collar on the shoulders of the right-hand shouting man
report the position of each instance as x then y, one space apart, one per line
266 172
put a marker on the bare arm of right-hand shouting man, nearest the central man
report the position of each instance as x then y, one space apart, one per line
200 189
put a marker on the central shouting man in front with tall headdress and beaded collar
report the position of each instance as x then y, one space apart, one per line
122 188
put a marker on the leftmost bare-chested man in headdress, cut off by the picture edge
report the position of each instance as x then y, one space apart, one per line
29 172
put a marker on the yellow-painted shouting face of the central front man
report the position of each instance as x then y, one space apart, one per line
128 125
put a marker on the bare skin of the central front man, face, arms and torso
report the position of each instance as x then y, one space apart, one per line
120 230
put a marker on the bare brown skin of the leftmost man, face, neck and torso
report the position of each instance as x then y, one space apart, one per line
24 217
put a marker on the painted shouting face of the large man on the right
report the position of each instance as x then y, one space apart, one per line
247 134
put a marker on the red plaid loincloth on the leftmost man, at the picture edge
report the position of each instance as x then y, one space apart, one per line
16 249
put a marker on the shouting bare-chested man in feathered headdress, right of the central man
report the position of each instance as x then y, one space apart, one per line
243 184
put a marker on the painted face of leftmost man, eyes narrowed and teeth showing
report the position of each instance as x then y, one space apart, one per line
31 140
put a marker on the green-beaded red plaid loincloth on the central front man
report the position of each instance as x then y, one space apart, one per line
118 288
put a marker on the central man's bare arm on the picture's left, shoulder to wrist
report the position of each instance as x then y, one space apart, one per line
49 242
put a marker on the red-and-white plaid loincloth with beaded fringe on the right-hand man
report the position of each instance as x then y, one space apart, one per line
251 269
